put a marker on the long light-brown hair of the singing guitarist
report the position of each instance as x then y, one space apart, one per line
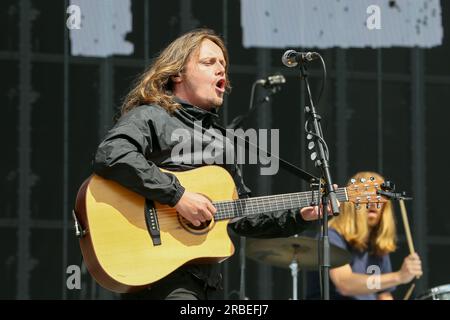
155 84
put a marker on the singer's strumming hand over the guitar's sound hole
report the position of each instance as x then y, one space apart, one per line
195 208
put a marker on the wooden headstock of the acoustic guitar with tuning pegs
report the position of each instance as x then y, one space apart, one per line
365 191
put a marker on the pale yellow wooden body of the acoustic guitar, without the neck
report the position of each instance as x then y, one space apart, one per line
119 250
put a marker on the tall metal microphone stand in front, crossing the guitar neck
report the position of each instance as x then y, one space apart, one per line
329 194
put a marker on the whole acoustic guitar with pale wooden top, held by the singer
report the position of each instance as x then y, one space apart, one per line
129 242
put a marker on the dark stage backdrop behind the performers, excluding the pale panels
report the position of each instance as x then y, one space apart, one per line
383 109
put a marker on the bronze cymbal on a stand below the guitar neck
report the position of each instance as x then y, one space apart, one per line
281 252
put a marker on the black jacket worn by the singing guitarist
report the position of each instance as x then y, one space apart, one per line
141 142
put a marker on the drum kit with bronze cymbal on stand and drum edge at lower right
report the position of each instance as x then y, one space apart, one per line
296 253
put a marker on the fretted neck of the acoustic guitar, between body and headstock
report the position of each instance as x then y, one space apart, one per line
250 206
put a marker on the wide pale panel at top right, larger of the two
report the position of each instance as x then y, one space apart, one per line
340 23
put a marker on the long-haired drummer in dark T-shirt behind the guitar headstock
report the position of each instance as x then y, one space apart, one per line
369 235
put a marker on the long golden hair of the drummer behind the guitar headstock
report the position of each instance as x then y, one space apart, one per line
351 223
